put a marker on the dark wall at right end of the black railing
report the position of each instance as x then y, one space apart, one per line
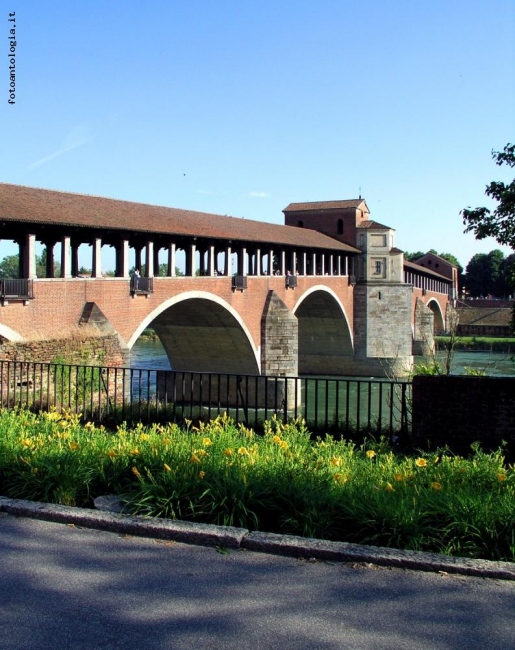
458 411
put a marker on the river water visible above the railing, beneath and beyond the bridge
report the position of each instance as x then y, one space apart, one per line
150 354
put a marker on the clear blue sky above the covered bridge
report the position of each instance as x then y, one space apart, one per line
240 107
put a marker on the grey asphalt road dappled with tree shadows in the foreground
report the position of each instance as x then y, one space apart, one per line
72 588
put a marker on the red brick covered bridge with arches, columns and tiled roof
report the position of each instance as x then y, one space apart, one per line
327 293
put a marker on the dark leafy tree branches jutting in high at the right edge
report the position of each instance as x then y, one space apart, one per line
499 224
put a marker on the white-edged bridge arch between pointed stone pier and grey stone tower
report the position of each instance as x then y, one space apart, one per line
325 336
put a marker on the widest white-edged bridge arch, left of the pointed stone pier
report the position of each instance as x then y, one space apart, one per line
201 332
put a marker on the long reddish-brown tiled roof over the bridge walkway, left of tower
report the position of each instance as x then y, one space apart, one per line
49 207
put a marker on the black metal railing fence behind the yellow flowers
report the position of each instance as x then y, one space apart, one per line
112 394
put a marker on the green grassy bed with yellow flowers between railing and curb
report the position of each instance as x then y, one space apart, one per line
283 481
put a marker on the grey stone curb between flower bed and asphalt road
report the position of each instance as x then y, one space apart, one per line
230 537
